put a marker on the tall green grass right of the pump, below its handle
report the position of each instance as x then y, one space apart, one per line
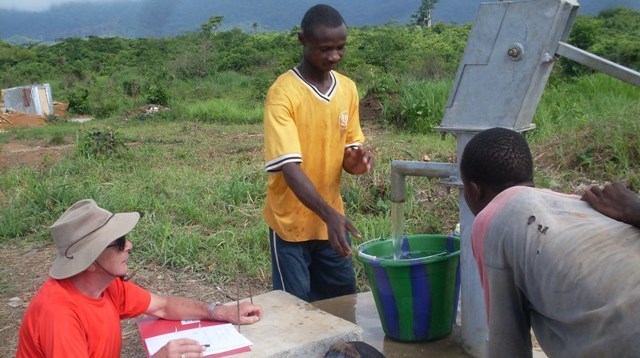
590 128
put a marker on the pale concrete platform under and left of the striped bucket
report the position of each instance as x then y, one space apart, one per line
292 327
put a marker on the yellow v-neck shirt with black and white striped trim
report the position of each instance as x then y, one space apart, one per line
303 125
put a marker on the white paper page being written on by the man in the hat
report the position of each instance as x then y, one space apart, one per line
220 338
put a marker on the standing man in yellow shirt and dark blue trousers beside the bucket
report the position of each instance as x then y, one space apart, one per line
312 132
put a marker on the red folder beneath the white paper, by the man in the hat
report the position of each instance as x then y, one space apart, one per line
151 327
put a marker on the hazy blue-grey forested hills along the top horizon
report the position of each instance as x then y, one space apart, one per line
159 18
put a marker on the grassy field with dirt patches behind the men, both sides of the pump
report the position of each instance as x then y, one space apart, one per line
199 185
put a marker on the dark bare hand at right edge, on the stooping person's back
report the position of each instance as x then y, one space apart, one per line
615 201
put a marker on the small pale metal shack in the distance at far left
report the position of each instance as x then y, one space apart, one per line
32 99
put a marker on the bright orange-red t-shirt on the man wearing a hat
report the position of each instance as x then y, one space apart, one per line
62 322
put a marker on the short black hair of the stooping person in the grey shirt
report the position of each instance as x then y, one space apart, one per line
498 158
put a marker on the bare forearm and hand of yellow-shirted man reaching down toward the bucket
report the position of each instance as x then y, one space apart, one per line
337 224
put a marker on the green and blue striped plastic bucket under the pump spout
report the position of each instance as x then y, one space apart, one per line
416 297
